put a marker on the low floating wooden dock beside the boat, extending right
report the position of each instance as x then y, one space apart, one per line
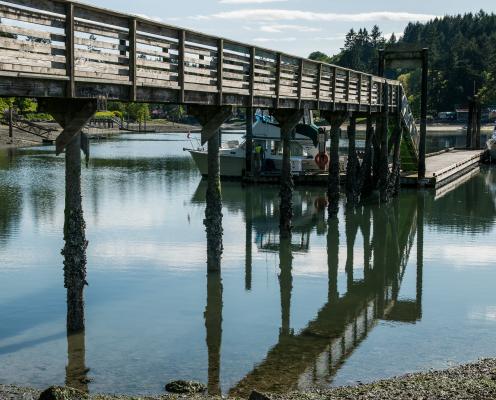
442 168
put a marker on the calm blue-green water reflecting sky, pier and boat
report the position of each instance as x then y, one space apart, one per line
381 292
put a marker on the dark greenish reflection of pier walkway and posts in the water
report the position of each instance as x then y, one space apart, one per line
345 320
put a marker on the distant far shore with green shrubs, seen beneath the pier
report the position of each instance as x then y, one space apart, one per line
23 139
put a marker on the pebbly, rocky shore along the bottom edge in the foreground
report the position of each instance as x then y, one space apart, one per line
471 381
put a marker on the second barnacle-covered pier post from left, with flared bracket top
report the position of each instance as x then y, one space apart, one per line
211 118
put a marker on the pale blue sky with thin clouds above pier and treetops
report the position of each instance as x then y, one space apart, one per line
293 26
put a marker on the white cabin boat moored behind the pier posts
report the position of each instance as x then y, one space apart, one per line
304 148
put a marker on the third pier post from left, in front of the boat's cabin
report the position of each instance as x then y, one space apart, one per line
288 119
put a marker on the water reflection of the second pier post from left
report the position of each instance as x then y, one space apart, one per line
213 327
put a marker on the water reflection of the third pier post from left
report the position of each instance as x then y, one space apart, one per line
285 283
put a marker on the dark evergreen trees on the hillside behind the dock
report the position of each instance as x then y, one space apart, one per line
462 58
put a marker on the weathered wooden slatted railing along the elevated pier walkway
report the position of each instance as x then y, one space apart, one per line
58 48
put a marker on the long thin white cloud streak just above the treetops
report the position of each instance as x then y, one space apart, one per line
292 15
